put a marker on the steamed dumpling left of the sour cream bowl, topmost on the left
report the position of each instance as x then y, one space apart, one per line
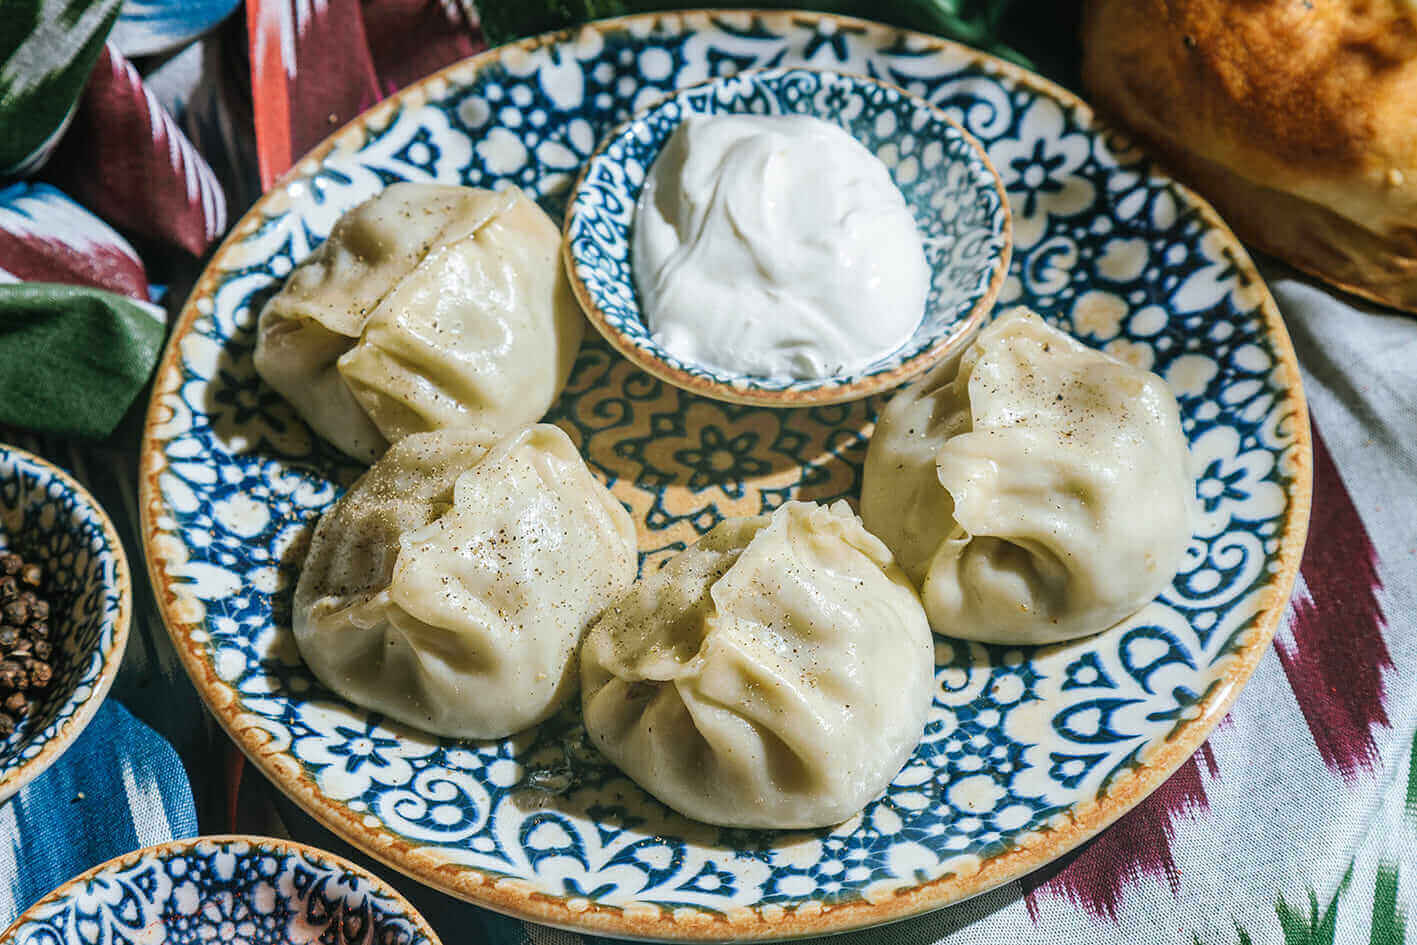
429 307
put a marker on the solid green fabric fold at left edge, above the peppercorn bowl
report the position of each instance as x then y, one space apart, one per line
73 361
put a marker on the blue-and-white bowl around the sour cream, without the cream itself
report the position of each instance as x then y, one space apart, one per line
943 172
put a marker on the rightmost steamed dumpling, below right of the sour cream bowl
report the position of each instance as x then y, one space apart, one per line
1035 490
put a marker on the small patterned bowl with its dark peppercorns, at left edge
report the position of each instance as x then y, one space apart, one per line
66 603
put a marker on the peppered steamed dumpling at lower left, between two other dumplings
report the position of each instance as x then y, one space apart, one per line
451 586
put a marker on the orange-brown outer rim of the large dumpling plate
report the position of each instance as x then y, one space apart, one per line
515 899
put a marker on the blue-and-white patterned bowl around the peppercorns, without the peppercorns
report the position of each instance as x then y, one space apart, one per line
52 521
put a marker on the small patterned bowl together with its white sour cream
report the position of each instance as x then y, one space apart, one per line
789 237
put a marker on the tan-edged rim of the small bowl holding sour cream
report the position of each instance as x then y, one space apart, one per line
827 395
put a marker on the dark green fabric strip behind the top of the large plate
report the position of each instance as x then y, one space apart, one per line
1041 36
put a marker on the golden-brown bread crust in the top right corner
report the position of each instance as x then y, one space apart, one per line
1297 118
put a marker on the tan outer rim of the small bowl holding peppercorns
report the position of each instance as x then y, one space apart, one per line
15 780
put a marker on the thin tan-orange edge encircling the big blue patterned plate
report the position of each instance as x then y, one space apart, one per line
184 611
